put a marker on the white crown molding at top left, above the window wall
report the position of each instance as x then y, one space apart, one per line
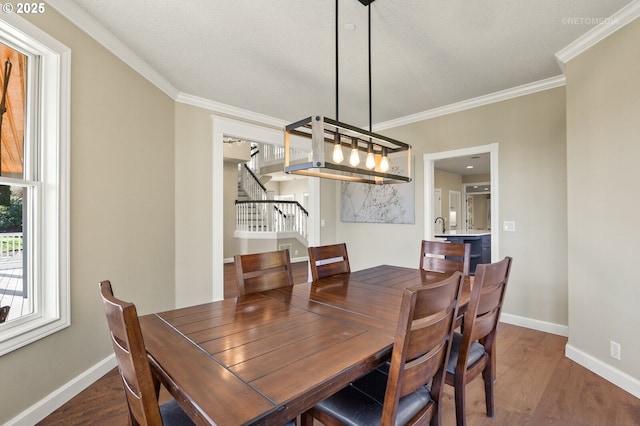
95 30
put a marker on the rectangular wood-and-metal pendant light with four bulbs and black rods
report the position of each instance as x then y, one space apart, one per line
386 160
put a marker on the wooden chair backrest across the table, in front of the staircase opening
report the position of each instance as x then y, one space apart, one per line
263 271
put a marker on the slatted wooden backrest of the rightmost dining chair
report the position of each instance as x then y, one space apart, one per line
485 305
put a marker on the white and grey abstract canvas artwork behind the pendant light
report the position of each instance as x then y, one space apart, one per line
361 202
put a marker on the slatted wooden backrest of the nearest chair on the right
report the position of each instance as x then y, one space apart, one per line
422 344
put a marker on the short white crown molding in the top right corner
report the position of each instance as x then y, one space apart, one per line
598 33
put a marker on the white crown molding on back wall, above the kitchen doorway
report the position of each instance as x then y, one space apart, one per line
525 89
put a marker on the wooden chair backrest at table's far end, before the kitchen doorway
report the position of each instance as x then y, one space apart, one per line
442 256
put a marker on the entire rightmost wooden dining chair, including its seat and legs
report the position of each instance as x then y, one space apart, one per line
474 351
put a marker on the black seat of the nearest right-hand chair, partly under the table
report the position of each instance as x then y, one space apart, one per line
360 403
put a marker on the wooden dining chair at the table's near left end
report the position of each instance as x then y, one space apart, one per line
141 388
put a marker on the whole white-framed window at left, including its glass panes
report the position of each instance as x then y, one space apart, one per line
36 180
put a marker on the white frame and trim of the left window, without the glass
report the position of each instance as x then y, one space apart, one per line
46 172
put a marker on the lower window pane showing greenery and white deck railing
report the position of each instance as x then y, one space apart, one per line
14 286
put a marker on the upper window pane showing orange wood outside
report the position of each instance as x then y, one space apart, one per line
12 111
